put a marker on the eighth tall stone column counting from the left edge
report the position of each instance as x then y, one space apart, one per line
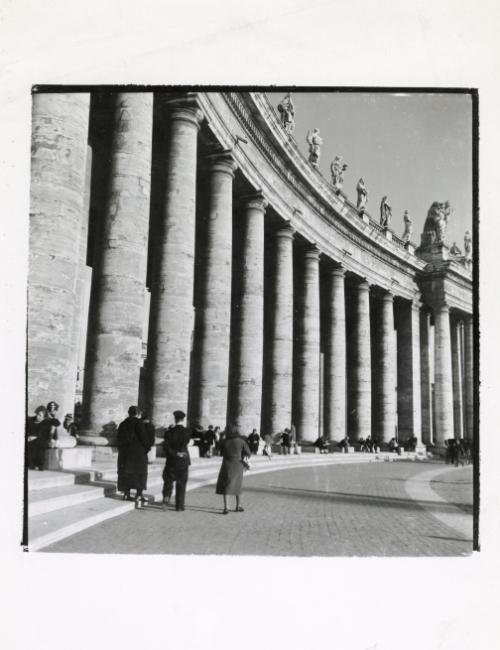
335 359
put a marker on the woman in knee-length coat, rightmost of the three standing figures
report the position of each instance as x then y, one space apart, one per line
234 451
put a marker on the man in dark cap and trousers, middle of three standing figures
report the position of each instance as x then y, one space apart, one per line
177 463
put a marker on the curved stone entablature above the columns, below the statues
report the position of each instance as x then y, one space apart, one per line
302 197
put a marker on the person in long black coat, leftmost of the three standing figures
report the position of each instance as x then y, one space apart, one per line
133 446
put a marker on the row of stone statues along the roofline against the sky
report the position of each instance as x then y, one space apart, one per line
437 216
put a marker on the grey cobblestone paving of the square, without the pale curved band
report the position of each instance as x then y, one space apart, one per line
355 510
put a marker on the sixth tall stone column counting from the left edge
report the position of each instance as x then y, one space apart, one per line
277 399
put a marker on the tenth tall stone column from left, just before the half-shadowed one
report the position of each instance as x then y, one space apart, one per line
385 415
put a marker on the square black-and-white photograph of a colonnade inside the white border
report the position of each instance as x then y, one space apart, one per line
226 298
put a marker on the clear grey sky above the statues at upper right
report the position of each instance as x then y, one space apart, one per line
415 148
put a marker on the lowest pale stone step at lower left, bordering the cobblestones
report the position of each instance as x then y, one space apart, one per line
45 529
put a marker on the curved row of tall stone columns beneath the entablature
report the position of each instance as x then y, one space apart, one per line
205 352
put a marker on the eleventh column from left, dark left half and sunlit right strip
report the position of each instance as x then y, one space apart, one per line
409 395
